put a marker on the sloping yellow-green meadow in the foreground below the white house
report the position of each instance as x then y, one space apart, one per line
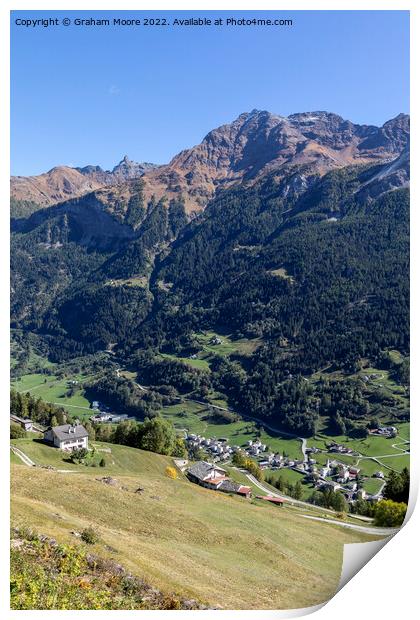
220 549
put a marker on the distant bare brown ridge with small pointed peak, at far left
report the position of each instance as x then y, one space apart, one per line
63 182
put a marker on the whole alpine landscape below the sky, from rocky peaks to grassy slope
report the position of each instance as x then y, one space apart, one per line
251 297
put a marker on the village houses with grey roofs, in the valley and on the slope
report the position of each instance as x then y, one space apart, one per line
208 454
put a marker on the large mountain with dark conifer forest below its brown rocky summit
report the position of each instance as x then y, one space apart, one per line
290 231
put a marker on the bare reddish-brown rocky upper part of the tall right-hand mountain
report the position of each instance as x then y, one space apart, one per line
259 143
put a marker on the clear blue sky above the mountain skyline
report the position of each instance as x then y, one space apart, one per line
89 95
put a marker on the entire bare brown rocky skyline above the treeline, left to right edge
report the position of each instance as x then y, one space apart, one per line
256 143
